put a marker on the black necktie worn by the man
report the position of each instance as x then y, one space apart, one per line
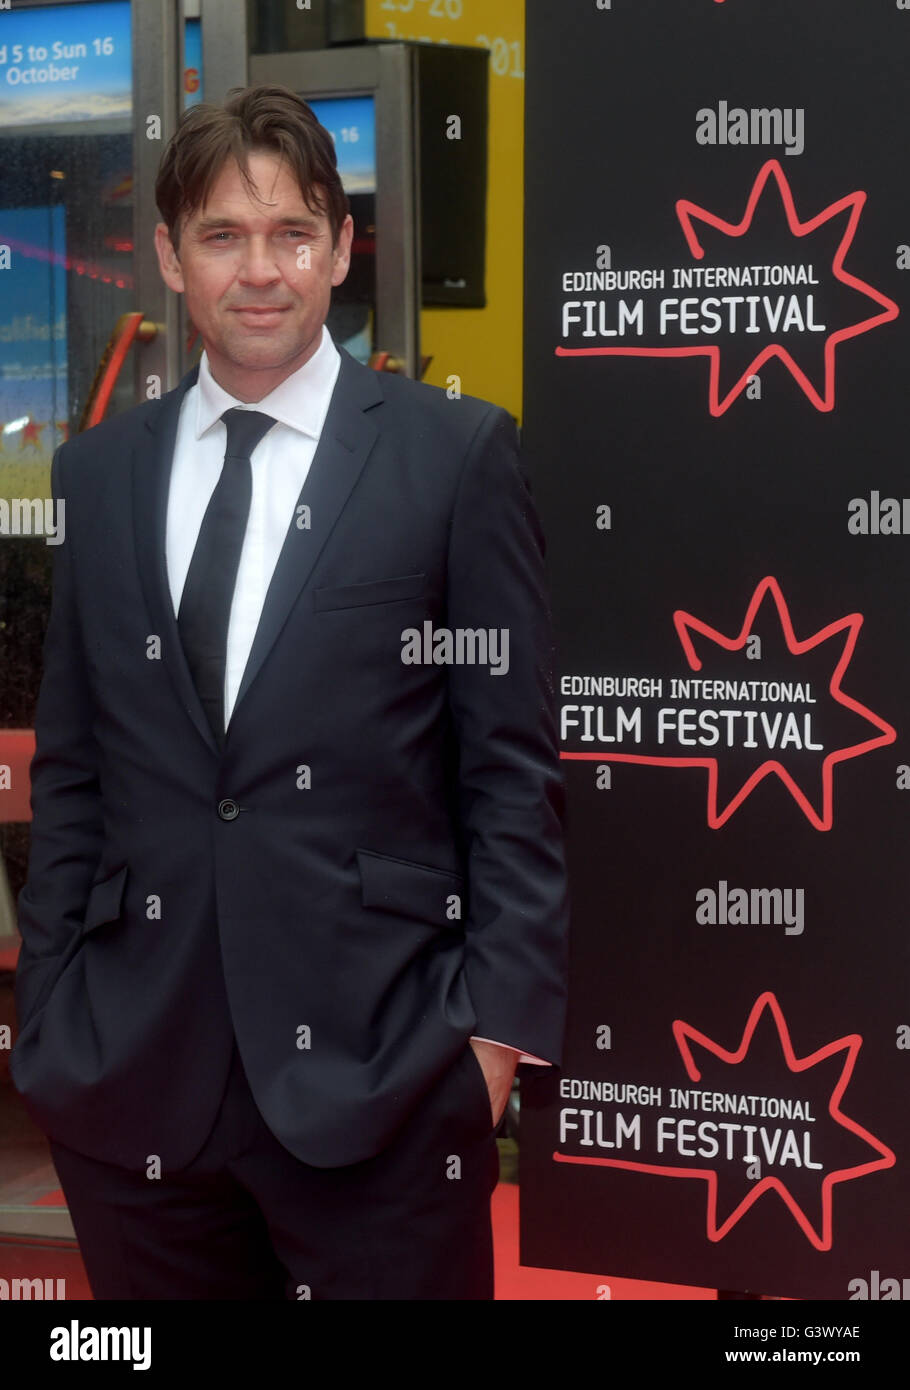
209 590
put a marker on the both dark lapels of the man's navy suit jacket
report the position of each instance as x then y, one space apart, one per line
345 444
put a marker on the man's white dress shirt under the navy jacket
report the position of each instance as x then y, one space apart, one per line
280 464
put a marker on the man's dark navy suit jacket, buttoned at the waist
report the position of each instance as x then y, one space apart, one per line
370 872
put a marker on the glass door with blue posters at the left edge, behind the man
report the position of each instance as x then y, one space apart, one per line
90 94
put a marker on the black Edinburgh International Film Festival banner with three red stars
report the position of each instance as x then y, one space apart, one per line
716 418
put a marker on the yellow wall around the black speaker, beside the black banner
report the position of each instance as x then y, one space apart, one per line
480 345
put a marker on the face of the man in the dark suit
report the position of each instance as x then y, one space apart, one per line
258 276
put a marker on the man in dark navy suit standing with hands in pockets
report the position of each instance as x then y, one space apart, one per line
297 900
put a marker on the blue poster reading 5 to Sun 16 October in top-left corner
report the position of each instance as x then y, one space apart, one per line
66 63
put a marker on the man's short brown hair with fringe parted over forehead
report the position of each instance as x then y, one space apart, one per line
263 117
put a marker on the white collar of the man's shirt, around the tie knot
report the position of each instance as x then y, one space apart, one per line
301 401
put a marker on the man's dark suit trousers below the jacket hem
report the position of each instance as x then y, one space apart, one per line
247 1220
